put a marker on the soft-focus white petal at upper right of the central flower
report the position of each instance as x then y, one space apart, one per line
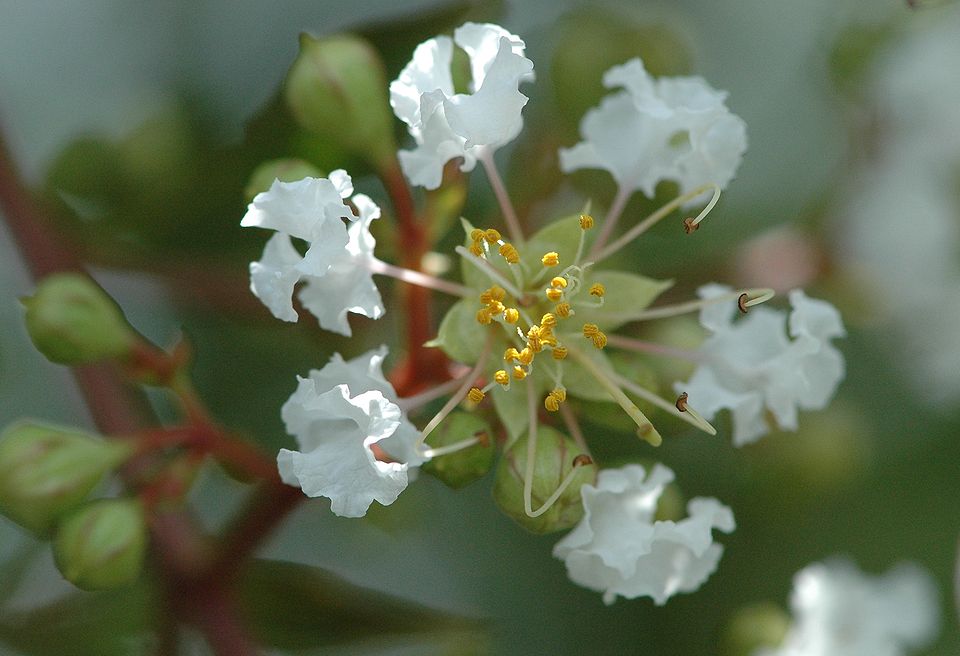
673 128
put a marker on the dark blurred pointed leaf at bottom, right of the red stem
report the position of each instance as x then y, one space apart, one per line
294 606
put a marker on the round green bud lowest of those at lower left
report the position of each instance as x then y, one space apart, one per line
102 545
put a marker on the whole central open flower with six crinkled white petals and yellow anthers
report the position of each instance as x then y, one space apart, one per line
536 321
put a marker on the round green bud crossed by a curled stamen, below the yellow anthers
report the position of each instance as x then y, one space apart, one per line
555 458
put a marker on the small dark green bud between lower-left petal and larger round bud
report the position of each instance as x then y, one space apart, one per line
463 467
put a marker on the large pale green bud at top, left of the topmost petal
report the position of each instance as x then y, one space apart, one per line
337 89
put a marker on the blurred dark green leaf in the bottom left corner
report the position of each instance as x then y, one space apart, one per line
84 624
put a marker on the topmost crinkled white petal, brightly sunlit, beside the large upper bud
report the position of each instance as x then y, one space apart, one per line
446 125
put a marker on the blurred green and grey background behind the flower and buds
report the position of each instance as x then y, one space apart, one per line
141 123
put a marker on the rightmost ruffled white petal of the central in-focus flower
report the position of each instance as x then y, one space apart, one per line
751 364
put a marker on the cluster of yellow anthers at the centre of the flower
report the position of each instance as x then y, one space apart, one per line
538 337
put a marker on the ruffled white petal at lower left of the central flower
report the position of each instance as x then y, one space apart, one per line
336 415
